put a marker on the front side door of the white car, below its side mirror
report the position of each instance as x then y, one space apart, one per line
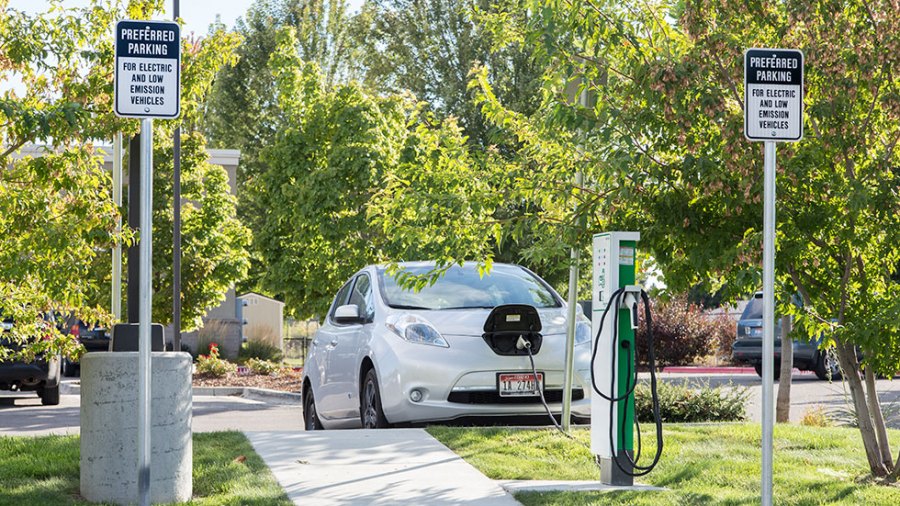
347 347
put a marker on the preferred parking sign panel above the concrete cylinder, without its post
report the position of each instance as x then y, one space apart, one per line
148 69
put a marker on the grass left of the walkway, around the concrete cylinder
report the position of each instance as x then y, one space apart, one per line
43 471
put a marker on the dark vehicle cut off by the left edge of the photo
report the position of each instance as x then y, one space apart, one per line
41 376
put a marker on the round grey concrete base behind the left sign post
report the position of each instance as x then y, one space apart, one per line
109 421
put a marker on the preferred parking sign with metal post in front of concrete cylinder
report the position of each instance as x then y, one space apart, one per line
147 85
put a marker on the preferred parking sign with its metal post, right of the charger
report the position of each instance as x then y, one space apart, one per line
773 100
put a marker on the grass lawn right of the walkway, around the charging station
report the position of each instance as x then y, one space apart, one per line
701 464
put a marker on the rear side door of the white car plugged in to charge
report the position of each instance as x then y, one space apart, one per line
322 354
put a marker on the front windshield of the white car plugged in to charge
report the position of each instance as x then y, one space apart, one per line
463 288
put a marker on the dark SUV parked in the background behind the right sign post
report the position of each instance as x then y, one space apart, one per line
747 347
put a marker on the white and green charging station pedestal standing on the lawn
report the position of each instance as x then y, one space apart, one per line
614 268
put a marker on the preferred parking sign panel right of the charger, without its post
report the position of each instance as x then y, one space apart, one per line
773 94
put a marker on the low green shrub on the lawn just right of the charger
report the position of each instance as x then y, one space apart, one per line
683 403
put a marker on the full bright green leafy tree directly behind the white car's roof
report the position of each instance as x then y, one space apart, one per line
349 164
